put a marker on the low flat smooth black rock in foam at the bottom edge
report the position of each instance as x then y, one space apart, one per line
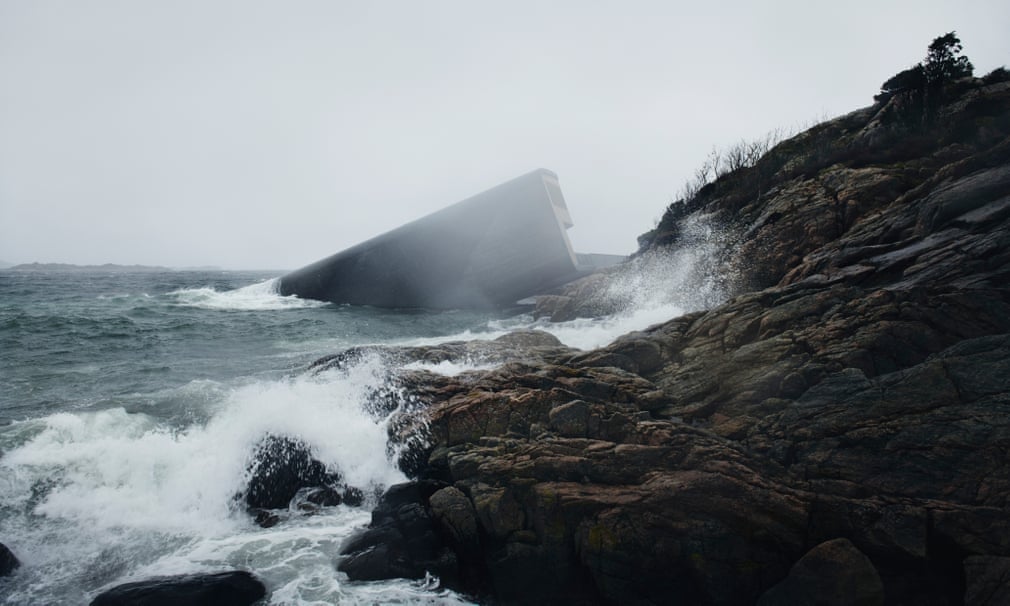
235 588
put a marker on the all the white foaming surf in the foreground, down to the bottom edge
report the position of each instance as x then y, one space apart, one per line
110 492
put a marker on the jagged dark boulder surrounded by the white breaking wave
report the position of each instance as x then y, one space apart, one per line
283 469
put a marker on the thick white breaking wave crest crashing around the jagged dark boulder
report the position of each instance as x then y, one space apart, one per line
119 469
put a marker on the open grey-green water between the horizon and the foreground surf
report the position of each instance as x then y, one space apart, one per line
75 341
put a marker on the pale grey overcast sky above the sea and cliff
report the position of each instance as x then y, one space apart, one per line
270 135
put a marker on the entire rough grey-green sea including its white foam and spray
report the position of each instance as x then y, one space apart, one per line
132 403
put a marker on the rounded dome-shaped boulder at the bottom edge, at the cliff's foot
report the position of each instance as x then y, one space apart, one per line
833 574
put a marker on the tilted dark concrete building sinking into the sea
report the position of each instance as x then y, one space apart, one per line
492 250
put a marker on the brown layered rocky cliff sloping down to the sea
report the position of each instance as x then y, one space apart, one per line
838 433
